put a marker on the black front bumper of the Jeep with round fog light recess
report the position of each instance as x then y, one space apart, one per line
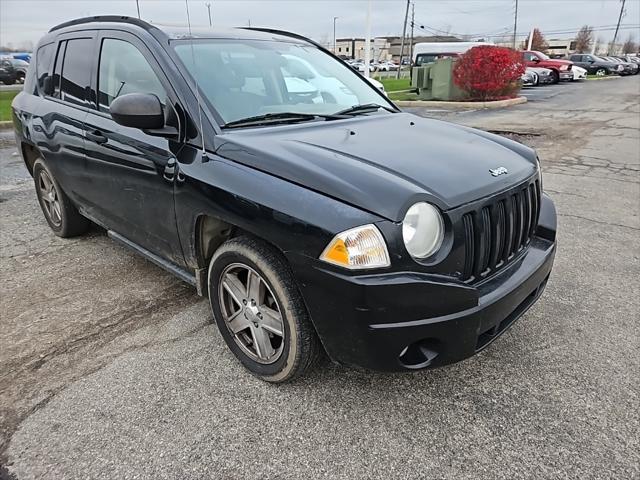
410 320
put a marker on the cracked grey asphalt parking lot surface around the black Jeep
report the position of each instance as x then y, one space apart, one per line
110 368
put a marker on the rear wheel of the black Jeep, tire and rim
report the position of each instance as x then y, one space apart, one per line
59 212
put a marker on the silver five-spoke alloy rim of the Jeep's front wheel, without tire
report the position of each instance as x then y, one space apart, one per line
251 313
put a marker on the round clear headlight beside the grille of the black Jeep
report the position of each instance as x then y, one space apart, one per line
422 230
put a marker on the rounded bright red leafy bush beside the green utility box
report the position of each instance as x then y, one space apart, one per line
486 72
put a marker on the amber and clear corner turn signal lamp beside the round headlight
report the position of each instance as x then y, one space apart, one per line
358 248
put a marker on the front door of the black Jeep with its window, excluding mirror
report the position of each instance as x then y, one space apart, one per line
129 174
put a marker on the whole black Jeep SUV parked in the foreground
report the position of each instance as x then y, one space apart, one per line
250 164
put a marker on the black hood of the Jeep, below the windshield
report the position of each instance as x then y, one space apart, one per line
383 163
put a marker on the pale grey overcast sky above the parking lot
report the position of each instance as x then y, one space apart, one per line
26 20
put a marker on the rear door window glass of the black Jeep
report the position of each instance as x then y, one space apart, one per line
75 78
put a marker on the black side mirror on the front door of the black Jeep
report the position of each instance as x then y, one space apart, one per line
138 110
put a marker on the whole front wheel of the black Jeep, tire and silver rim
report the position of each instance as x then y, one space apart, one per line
249 325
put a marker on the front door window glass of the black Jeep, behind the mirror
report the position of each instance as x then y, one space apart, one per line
123 69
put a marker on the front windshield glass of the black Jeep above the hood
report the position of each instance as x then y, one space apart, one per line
248 78
